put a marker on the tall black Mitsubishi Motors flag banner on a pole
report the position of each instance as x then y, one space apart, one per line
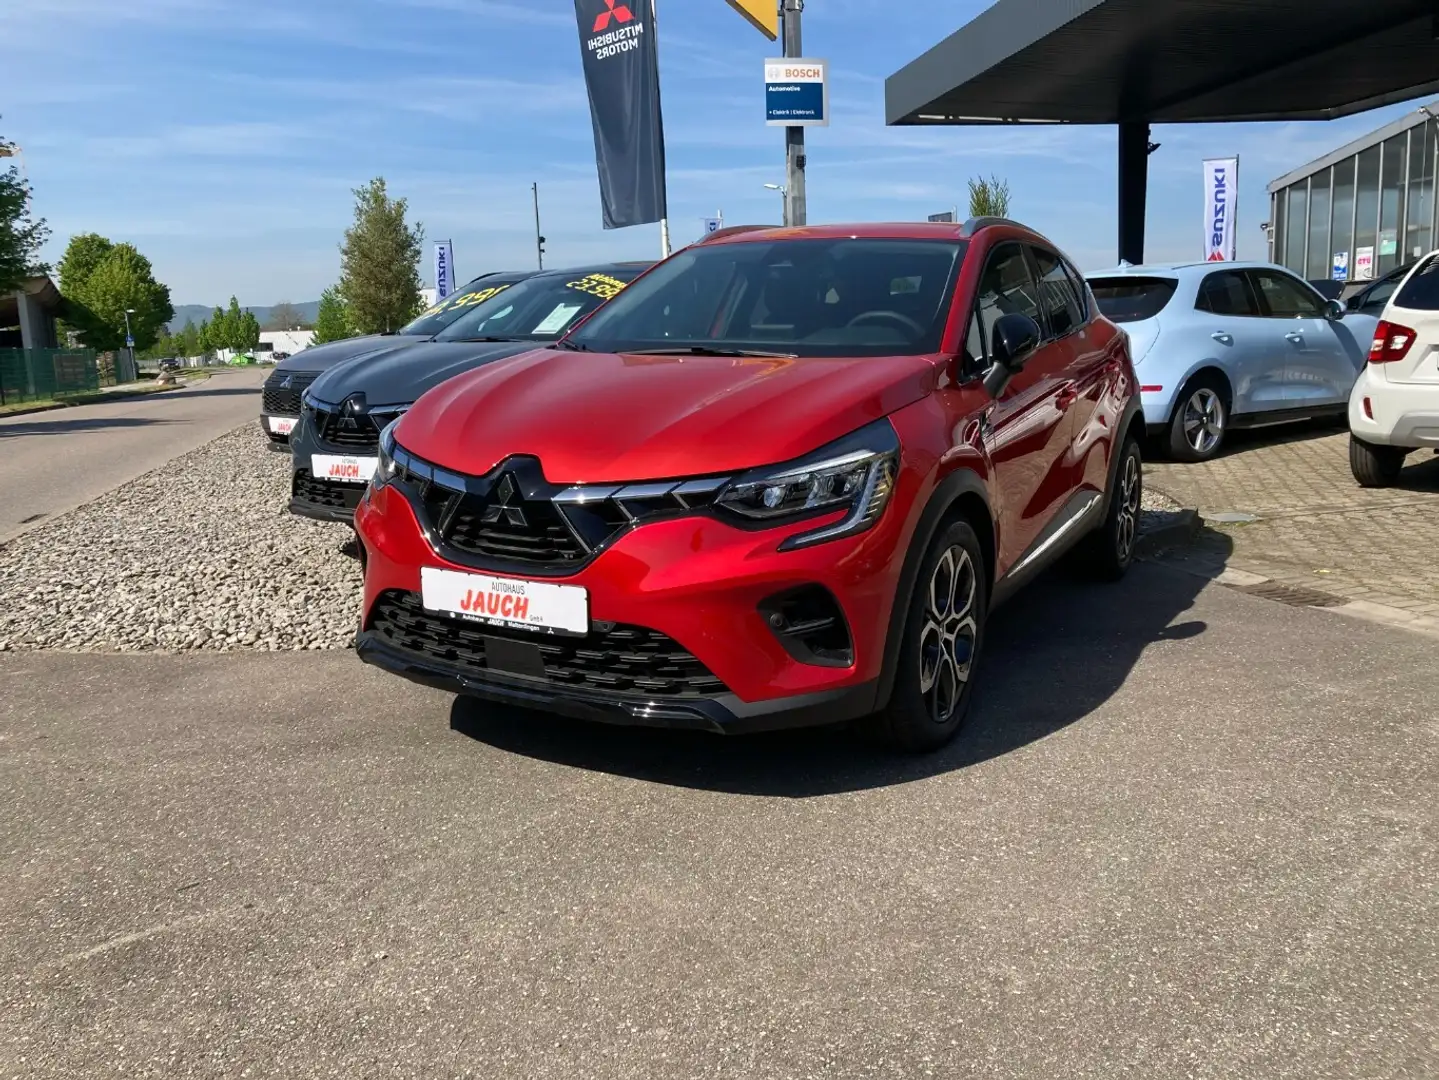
622 75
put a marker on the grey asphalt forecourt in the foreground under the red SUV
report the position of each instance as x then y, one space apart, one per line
1191 835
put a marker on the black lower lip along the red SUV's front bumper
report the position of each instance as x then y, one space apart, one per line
719 714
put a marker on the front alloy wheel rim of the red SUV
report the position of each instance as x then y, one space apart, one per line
949 635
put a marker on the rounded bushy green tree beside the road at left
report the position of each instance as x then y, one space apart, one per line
101 283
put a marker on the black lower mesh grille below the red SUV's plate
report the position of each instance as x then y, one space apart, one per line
612 658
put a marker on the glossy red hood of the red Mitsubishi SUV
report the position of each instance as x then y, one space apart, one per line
596 418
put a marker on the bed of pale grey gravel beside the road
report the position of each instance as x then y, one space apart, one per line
199 554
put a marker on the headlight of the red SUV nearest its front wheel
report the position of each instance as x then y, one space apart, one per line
855 474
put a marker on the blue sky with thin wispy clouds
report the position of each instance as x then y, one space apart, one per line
224 137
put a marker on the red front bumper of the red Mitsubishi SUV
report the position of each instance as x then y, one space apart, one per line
699 582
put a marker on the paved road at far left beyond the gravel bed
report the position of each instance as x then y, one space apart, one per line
61 459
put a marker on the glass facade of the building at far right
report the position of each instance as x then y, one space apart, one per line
1362 211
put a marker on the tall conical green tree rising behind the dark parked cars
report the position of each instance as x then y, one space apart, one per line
379 262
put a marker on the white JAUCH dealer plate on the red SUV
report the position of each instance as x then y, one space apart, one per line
506 602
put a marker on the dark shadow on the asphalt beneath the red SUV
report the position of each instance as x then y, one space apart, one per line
1056 654
